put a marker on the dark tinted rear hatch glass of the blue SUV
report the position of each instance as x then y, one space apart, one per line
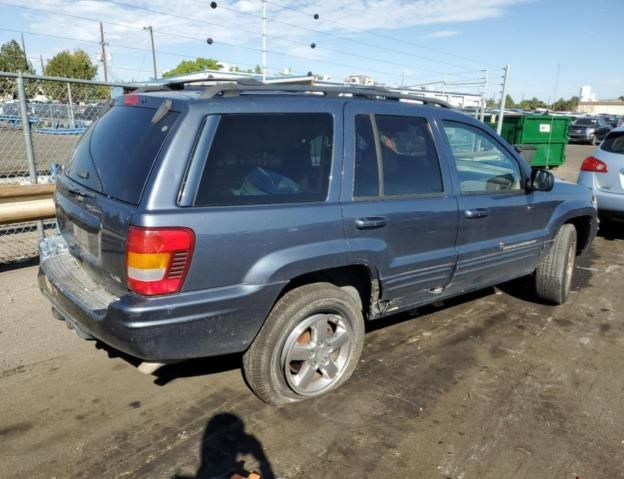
116 154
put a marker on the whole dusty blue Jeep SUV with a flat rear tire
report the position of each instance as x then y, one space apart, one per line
273 222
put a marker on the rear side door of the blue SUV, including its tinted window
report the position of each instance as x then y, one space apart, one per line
399 212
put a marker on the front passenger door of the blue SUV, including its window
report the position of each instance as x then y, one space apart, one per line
501 225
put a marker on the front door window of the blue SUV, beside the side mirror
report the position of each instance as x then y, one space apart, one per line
482 165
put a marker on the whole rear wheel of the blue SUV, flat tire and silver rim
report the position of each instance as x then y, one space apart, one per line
309 345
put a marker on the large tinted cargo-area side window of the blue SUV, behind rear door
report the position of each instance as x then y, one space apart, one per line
268 158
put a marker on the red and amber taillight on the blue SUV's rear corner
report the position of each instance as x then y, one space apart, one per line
158 259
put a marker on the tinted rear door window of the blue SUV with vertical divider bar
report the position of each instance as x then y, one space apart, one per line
407 164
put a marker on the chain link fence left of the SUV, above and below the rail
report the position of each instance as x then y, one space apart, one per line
57 112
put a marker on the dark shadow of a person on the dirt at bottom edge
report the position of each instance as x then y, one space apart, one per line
225 446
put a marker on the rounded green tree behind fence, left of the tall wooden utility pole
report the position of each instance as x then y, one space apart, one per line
76 64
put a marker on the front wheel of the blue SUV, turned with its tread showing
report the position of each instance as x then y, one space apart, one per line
553 276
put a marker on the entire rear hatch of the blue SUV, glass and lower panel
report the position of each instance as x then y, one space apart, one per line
103 185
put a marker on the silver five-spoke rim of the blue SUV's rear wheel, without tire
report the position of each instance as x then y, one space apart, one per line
317 353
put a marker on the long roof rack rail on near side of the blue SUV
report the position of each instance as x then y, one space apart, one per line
235 88
